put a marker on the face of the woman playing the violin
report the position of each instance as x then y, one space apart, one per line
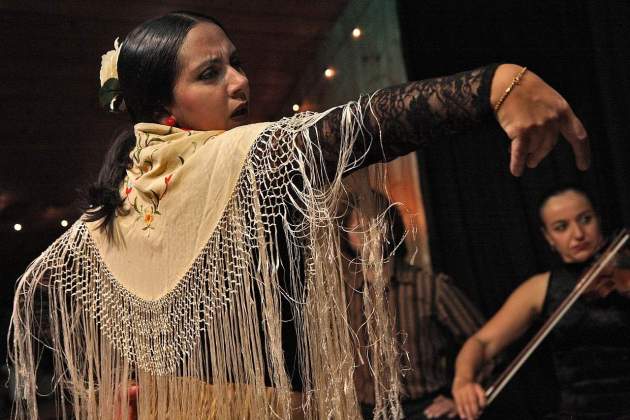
571 226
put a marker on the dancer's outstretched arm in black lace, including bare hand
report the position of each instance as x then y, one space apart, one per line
411 115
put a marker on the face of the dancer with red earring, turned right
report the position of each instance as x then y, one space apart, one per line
211 90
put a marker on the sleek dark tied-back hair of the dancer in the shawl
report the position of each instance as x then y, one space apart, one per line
147 70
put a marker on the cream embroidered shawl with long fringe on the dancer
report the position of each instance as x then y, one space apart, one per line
186 300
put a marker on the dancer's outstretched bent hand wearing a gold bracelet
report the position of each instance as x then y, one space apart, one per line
533 115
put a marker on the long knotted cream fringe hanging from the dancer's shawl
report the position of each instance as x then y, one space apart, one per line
212 347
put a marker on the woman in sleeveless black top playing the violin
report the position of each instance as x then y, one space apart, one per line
590 346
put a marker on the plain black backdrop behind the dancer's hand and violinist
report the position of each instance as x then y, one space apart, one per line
483 222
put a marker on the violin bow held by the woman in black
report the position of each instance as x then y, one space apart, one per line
585 281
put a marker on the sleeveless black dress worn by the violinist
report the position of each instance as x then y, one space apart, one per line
591 350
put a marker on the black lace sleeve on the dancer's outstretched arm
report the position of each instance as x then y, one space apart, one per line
411 115
